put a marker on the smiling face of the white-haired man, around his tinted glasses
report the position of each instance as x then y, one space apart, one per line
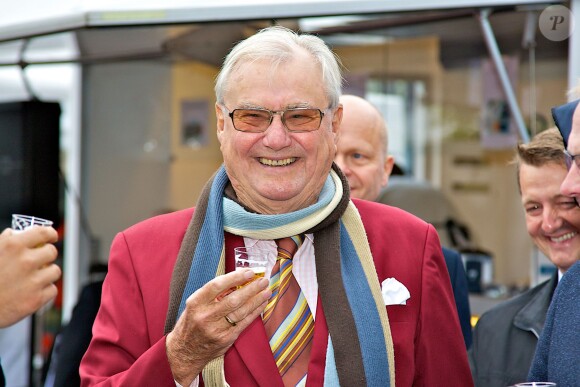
277 171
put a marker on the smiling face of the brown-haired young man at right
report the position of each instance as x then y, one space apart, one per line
552 219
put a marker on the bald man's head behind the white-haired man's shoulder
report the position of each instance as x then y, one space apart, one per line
362 148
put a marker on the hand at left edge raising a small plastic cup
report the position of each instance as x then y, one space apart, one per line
27 272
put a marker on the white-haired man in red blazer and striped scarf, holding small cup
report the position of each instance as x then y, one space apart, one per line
174 309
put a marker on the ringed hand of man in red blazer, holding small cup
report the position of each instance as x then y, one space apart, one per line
202 332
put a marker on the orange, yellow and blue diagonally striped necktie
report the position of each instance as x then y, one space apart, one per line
287 318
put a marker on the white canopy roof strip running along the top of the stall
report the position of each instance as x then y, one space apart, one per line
37 17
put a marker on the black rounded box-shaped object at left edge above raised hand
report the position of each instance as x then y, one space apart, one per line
29 160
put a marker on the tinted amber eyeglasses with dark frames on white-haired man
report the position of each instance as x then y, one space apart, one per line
259 120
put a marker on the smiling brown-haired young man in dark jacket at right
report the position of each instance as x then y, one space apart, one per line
506 336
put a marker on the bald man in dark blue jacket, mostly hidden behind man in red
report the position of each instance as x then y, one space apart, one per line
362 155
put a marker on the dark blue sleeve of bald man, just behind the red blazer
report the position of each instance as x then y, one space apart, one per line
459 285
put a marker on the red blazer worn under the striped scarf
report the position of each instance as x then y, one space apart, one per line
128 345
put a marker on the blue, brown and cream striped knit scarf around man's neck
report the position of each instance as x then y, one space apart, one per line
360 347
